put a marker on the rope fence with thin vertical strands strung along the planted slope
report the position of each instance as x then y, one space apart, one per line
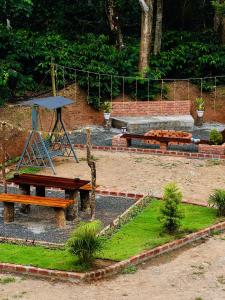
137 87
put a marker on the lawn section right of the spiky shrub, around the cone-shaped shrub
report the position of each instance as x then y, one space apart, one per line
145 230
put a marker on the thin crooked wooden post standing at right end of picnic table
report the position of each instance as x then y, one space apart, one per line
92 166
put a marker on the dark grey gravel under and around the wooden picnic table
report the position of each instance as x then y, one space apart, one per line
40 223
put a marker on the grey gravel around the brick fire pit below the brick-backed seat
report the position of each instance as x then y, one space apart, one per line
103 137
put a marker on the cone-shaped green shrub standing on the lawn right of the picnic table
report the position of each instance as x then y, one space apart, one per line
171 213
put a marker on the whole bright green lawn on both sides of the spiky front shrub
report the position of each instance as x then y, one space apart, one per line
142 232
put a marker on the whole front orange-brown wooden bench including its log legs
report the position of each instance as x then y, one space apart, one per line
59 206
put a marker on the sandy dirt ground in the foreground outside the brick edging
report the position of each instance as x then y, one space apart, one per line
195 273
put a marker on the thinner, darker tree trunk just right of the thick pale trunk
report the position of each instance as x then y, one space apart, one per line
158 27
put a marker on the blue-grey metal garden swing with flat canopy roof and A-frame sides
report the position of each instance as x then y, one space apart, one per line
39 149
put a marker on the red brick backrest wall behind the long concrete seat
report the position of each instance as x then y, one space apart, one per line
152 108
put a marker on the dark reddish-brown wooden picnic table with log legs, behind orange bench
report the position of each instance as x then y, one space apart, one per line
42 182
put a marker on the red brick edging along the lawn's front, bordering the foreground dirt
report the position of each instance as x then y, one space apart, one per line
115 268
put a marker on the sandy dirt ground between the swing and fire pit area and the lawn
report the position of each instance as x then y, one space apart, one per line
128 172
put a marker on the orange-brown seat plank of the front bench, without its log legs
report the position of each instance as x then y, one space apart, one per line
36 200
